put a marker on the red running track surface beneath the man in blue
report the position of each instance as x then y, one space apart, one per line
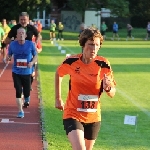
16 133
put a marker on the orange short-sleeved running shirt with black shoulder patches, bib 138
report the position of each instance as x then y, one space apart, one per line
85 87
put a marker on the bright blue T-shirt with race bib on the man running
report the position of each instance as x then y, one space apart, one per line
22 55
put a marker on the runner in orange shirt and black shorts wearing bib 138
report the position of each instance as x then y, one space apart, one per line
90 76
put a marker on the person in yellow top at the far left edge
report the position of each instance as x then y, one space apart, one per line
4 48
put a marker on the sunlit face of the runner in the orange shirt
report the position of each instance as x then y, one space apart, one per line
91 48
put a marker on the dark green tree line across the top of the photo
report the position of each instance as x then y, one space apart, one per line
134 9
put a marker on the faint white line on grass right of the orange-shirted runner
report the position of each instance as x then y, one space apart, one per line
145 111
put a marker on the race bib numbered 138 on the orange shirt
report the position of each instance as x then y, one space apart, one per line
87 103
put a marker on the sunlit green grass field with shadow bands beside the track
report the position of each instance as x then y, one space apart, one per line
130 63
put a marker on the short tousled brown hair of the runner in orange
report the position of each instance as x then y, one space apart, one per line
89 34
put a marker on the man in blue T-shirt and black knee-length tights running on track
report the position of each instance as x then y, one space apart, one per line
24 57
